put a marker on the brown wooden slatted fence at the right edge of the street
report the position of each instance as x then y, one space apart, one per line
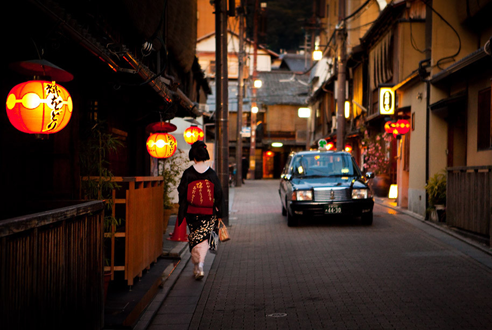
468 194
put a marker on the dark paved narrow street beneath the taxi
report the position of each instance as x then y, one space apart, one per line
398 273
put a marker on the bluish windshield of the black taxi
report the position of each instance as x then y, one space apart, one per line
324 165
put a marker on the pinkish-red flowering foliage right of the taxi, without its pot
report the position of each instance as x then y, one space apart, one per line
376 154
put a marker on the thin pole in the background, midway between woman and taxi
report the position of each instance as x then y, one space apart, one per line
252 149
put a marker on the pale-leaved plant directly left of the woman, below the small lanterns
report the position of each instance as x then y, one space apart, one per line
171 170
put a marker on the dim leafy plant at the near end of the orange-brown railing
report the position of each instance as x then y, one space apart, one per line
96 183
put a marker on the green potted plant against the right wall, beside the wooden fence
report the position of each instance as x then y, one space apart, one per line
436 196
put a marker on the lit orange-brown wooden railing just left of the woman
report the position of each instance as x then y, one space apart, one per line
139 204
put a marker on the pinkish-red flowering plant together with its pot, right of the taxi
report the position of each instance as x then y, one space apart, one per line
377 160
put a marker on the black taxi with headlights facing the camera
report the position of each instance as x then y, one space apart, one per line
324 183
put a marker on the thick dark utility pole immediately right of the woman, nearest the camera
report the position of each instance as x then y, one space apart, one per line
222 111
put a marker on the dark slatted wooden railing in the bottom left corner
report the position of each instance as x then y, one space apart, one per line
51 269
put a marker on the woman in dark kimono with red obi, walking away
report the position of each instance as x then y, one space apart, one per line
200 201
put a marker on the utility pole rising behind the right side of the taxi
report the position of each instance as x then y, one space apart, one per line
341 75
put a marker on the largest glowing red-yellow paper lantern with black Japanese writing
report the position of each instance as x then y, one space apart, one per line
39 107
